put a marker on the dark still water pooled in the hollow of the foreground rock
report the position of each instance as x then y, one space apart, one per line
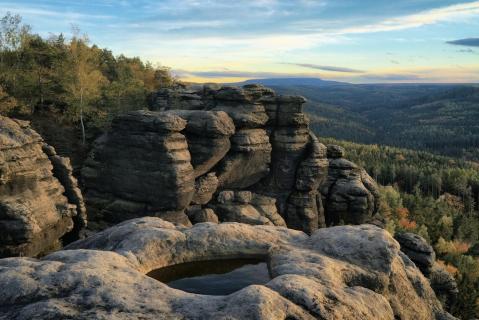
215 277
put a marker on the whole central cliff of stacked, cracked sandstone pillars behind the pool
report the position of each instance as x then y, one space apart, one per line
203 141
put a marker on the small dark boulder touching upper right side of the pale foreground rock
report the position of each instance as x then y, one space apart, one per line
418 250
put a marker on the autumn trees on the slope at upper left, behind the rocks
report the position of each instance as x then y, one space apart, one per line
71 80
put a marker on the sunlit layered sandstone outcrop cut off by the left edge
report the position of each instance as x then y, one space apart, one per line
40 202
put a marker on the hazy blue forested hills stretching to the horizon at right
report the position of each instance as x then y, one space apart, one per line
440 118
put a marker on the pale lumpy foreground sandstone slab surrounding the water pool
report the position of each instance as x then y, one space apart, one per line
350 272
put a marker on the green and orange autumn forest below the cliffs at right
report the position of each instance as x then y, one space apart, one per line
435 197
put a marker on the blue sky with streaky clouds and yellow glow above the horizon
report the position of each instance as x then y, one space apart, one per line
358 41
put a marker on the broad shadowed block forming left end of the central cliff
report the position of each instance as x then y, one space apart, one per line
142 167
